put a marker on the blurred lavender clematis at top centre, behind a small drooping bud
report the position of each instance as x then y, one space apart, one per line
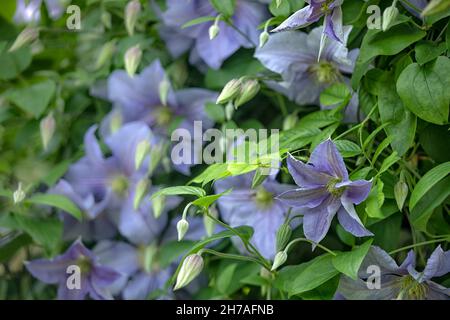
248 15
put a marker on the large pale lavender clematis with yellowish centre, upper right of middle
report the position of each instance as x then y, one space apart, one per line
294 55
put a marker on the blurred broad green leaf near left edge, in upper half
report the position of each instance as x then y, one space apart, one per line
33 99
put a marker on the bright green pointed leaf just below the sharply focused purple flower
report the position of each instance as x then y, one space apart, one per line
349 262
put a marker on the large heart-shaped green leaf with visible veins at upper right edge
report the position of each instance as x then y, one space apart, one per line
424 90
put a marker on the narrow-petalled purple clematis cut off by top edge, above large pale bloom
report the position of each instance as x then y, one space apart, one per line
330 9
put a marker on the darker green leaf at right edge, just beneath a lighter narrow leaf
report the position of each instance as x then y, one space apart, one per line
423 210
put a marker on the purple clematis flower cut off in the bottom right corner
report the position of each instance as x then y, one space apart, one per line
402 282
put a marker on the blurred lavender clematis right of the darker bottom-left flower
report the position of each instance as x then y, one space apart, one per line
140 264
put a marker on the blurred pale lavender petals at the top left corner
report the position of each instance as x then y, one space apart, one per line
30 11
